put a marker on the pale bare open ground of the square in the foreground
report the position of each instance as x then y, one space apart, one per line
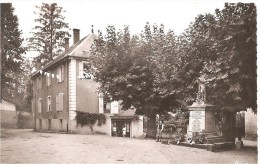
26 146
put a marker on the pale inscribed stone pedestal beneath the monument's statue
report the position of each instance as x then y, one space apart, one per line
202 117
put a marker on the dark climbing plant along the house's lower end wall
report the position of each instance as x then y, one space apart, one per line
85 118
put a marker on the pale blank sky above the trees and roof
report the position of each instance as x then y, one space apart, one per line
175 15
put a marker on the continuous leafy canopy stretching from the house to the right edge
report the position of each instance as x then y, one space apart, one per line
156 71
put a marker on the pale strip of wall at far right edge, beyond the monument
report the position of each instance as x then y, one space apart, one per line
250 125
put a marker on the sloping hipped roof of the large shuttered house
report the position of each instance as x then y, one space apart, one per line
81 49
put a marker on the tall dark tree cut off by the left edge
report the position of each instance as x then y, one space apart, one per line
12 50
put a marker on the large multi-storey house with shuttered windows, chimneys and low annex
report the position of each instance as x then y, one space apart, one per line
64 86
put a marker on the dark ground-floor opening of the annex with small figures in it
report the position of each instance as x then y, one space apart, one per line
120 128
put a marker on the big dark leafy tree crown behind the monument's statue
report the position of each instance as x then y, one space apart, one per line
222 49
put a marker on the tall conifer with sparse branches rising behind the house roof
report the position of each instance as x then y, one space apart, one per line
49 32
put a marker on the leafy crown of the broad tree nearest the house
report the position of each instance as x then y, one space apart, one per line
128 68
